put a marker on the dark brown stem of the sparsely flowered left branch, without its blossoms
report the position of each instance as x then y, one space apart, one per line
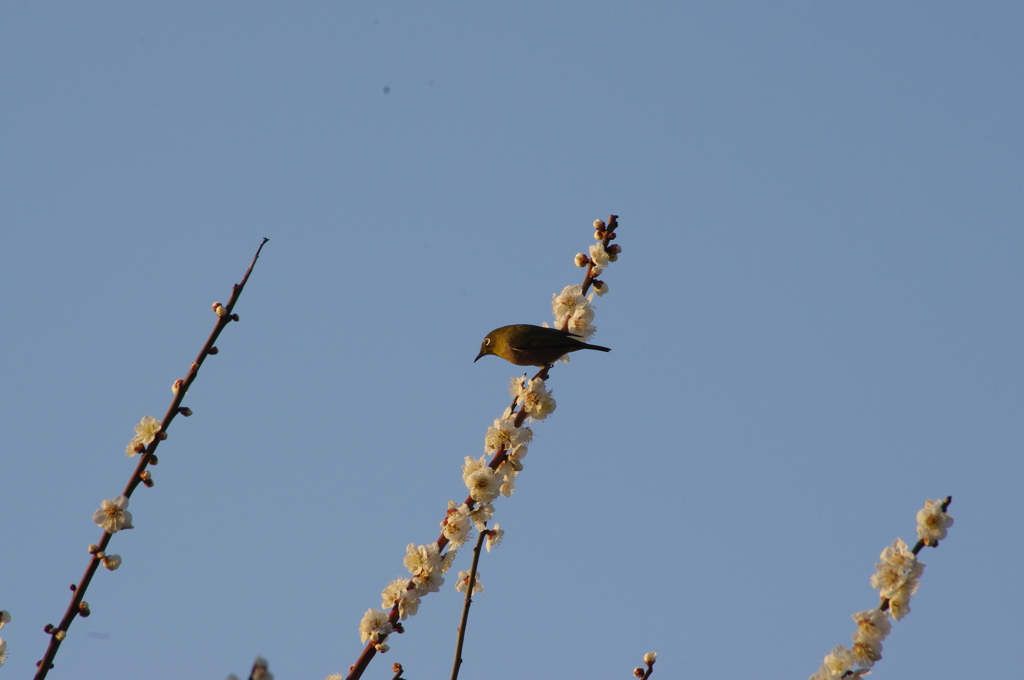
59 632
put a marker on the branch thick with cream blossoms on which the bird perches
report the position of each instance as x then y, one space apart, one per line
507 441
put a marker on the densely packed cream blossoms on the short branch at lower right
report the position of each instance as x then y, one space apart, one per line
897 578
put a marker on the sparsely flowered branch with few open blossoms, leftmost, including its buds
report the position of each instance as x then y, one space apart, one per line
113 516
